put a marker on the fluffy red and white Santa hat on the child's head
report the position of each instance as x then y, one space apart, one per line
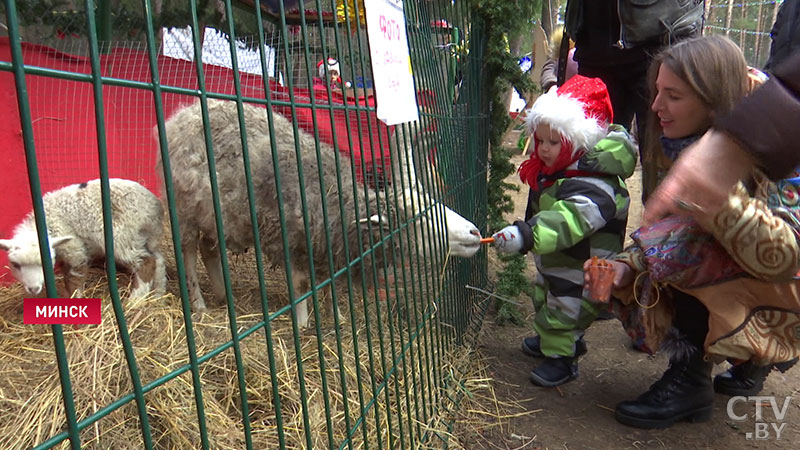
580 110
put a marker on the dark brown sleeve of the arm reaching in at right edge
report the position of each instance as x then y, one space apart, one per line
766 122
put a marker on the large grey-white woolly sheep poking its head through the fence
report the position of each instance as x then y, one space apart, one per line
187 152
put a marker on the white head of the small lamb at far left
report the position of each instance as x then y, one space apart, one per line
26 260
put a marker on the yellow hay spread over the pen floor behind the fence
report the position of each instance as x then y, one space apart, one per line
33 411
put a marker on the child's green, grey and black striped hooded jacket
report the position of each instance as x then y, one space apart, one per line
577 217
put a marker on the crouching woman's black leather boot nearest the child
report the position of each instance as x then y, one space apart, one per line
684 392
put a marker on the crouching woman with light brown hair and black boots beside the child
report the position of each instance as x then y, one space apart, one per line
702 292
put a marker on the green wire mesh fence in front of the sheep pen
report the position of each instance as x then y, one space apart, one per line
317 260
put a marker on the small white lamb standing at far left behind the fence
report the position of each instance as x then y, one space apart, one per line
74 217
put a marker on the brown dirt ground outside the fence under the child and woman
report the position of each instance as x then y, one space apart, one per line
579 414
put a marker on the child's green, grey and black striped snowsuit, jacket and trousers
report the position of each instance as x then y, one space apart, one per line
569 219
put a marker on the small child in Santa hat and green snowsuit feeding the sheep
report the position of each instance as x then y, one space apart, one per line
577 207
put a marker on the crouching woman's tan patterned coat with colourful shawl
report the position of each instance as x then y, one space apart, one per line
751 289
